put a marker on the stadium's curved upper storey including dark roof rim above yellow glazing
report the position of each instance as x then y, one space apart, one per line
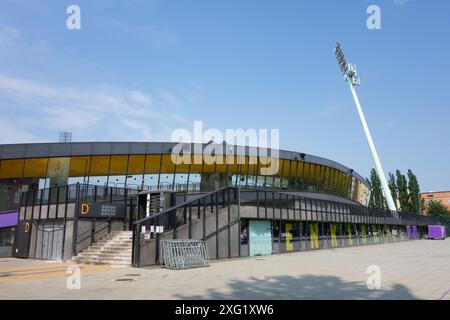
140 165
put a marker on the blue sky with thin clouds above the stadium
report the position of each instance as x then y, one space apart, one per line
139 69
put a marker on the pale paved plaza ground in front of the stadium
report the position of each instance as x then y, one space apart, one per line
417 269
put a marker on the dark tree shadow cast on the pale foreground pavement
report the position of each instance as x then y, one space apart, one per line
302 287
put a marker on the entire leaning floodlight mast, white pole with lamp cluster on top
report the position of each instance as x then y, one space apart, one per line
351 76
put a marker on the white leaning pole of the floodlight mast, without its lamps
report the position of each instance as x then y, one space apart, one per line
378 168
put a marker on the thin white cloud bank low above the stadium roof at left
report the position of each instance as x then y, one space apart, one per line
91 113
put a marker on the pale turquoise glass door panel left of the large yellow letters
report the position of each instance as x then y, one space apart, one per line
260 238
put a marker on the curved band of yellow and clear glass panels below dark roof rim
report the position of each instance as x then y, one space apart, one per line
137 171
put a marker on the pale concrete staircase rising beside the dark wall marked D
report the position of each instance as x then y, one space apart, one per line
114 249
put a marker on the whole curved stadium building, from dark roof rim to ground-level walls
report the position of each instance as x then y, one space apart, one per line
79 200
